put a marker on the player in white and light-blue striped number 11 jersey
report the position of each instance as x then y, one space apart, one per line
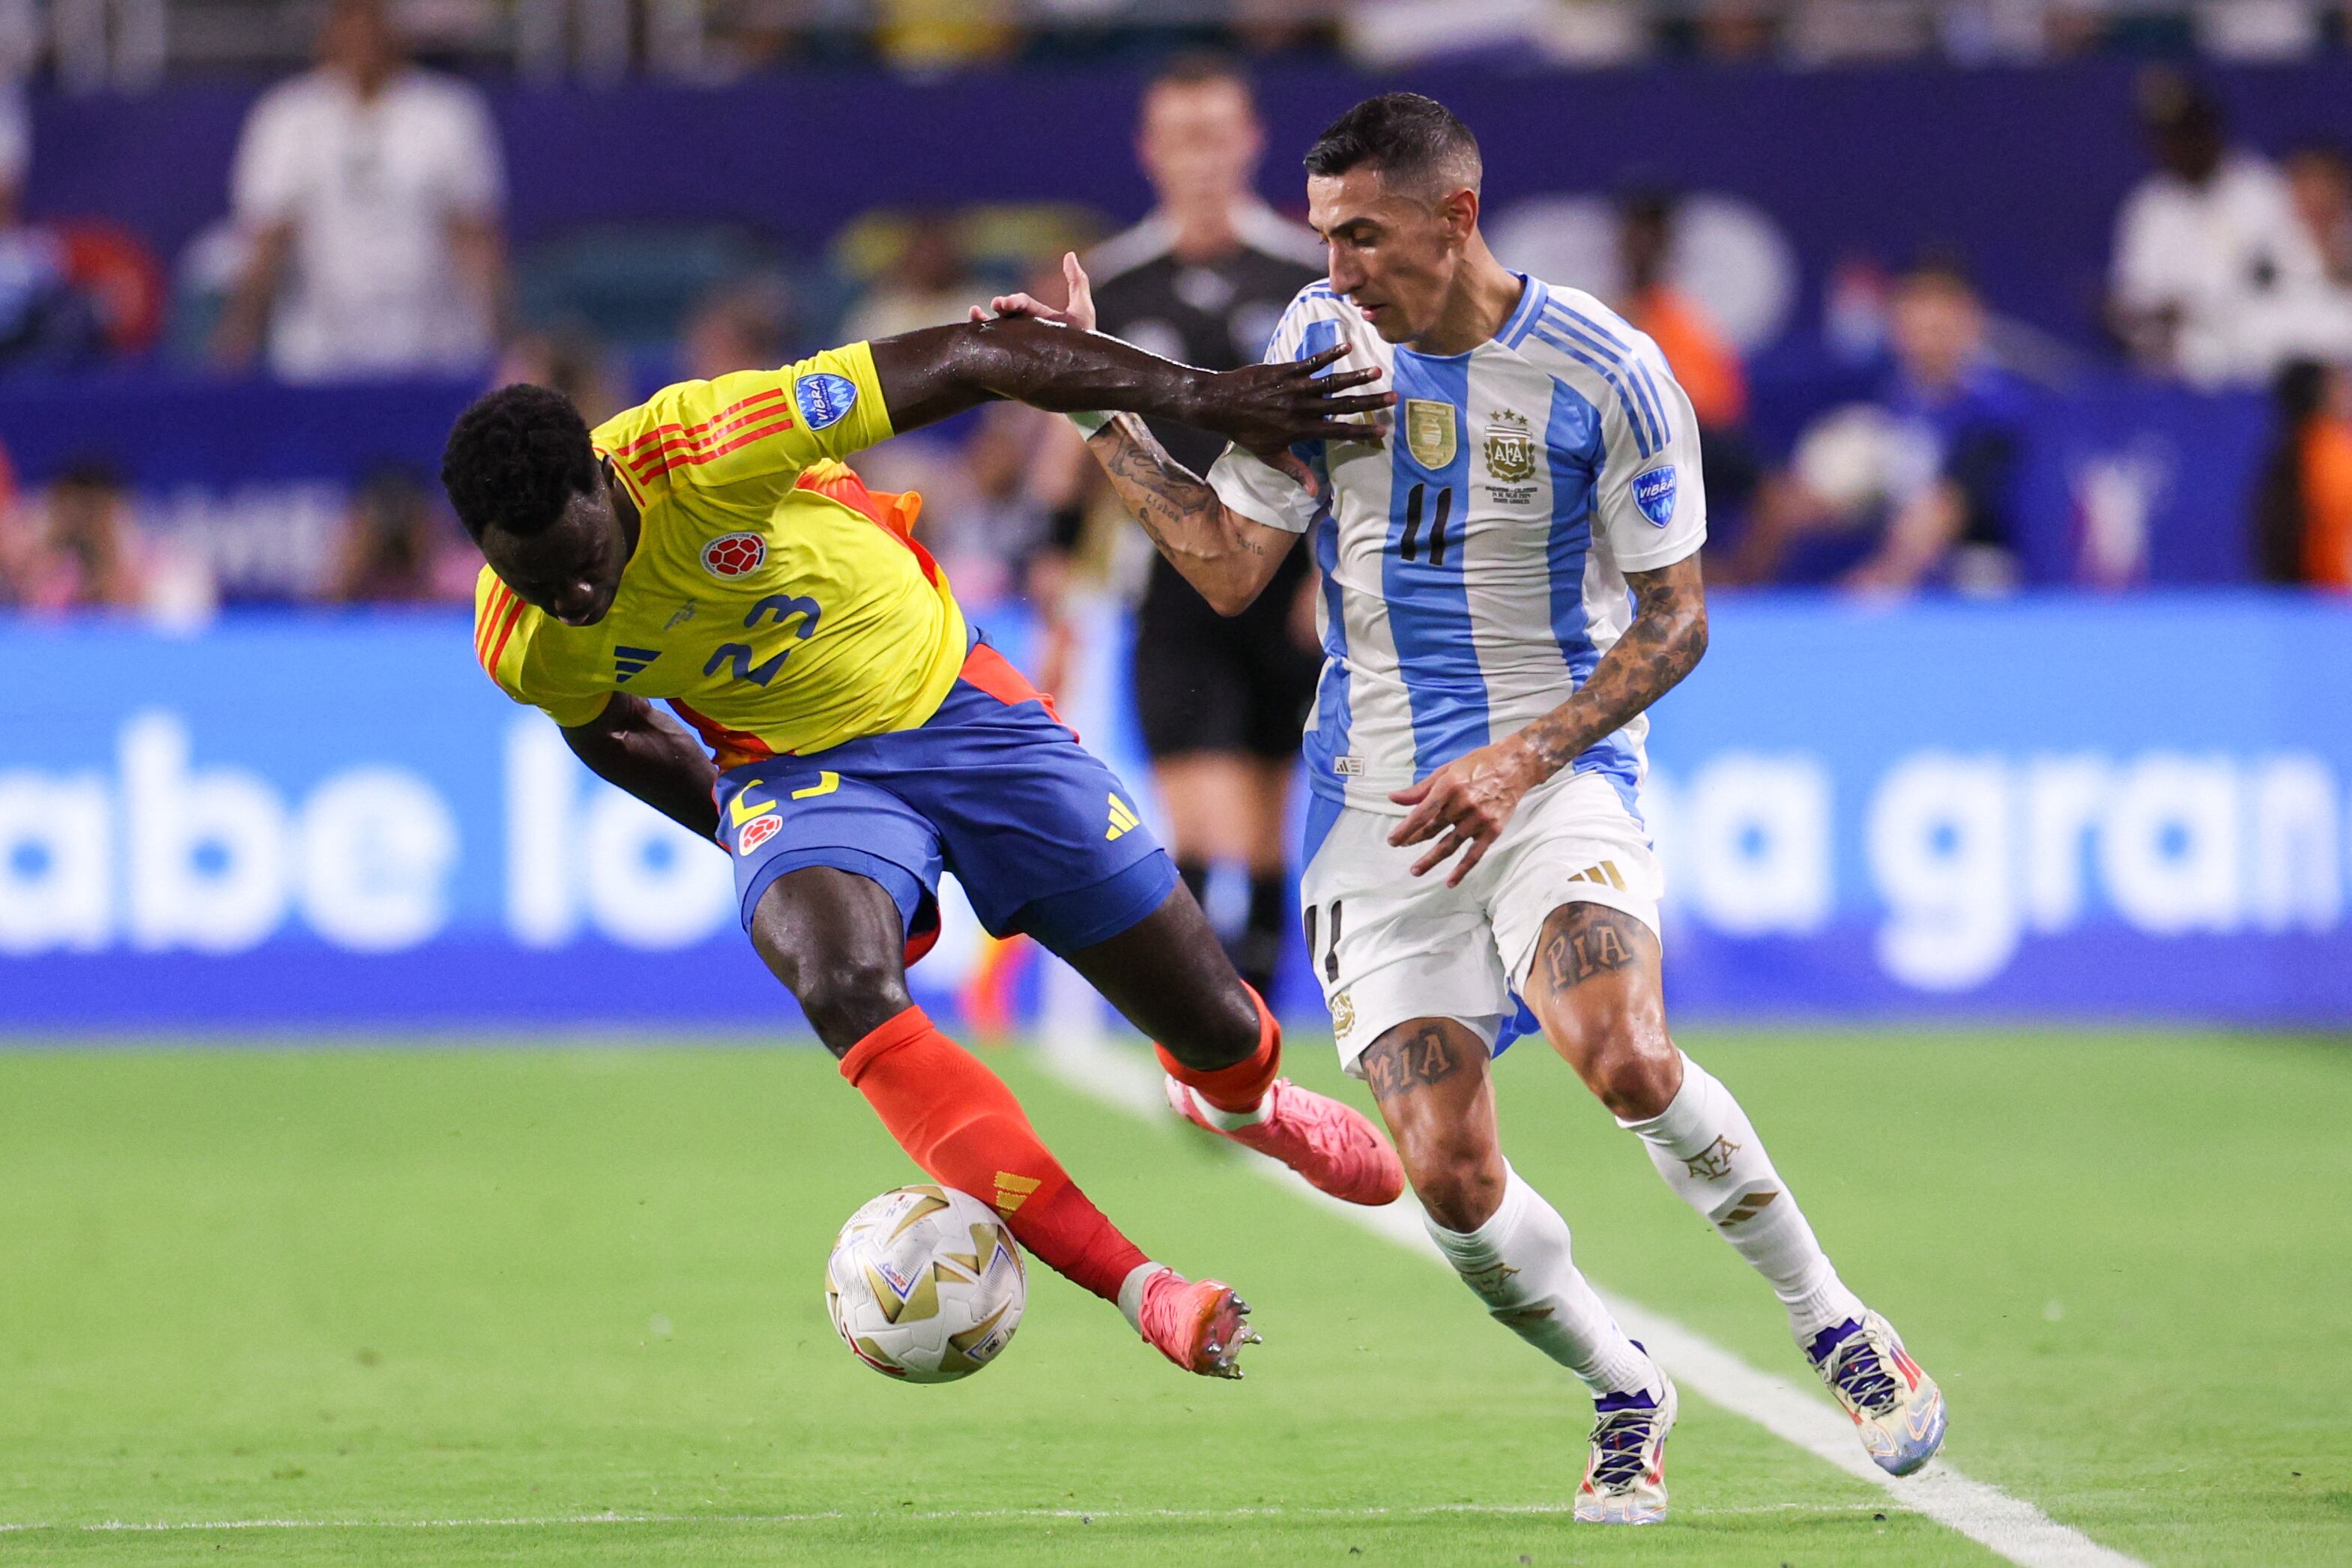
1511 579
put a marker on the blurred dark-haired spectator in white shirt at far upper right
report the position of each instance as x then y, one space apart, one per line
2210 257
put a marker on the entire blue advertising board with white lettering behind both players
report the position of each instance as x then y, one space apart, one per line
2054 808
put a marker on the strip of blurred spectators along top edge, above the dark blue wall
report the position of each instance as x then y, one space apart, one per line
140 41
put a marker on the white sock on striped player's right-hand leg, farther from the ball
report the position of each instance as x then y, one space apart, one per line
1711 1155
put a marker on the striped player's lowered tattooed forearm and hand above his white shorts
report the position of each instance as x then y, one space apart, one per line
1471 798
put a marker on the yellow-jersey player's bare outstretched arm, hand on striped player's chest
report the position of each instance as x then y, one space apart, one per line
1262 408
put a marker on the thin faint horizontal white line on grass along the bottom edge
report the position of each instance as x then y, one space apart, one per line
556 1522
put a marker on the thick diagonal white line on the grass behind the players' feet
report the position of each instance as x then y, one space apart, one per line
1982 1513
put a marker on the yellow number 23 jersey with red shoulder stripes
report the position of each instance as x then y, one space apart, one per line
773 601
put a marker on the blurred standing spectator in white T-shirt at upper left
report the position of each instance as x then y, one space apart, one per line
370 196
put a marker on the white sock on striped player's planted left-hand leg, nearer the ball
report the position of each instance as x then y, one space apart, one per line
1518 1264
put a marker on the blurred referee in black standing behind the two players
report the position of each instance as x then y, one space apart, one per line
1222 702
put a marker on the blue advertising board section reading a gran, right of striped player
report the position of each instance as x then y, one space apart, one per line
2054 808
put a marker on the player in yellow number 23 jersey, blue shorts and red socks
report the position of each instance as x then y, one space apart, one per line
857 739
